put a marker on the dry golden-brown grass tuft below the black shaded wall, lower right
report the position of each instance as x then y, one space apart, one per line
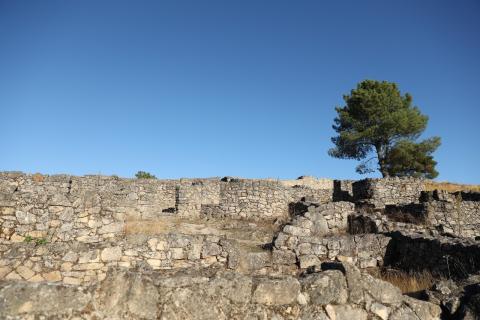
407 282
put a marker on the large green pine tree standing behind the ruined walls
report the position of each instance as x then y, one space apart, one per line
379 123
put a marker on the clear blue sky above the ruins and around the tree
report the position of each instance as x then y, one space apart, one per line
213 88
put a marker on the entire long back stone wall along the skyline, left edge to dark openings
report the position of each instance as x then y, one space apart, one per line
94 208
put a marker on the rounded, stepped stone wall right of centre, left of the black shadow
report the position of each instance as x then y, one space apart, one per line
320 234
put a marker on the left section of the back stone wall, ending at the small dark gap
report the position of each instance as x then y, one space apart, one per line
85 209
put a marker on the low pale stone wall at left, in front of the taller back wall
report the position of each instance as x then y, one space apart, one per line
80 263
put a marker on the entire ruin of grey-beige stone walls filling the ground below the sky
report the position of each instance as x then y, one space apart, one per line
98 247
